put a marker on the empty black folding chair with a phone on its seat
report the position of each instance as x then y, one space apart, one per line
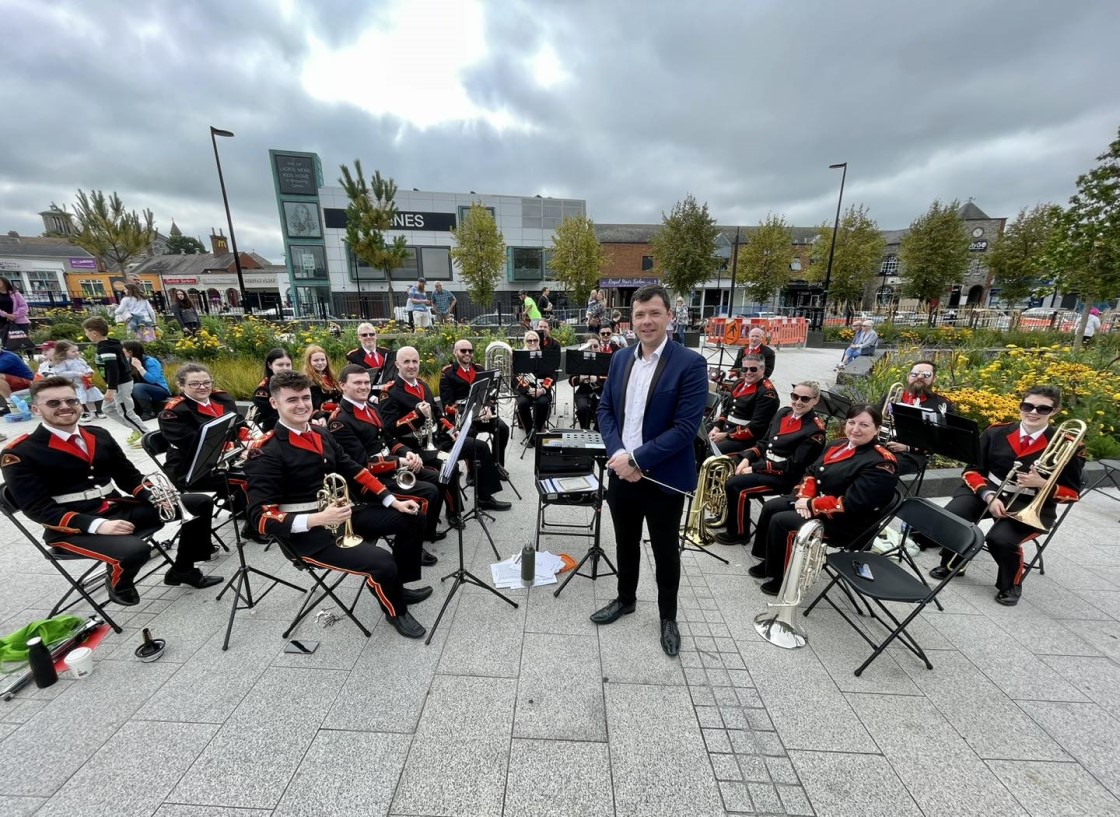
879 579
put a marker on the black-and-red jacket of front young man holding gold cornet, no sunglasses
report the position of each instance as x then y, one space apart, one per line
284 469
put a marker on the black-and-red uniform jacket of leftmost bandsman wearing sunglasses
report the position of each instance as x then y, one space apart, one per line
39 467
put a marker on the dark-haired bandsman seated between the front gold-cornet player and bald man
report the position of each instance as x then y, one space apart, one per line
358 428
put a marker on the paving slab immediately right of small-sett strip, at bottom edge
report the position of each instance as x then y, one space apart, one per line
843 785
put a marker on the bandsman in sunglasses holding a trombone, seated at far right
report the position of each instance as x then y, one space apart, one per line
1001 447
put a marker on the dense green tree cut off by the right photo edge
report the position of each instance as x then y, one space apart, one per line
1086 252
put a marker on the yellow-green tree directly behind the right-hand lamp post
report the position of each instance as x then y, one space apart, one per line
856 261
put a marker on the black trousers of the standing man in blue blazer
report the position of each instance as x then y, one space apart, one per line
631 505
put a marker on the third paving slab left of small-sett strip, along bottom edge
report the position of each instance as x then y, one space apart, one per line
459 760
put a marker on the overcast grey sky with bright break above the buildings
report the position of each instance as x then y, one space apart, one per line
630 105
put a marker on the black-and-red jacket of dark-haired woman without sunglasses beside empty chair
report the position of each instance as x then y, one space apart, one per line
850 485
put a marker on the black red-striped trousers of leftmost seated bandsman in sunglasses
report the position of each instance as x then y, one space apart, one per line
127 554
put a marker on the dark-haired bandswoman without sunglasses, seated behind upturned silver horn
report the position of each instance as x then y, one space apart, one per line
853 481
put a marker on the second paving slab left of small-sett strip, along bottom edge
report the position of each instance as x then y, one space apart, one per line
559 778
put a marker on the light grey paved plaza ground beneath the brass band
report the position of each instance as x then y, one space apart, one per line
535 711
